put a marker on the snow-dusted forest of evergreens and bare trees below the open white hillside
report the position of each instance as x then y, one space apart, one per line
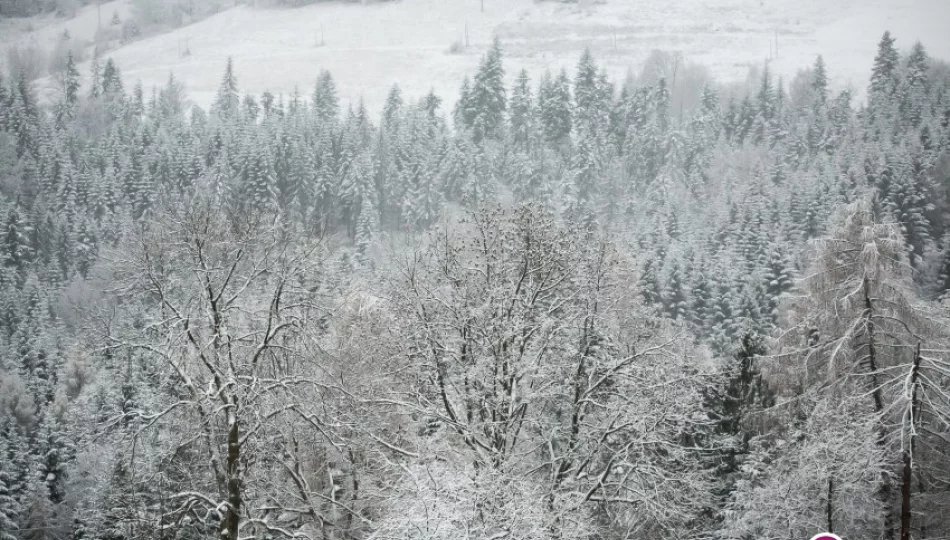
558 309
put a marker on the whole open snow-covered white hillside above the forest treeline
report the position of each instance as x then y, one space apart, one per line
368 48
